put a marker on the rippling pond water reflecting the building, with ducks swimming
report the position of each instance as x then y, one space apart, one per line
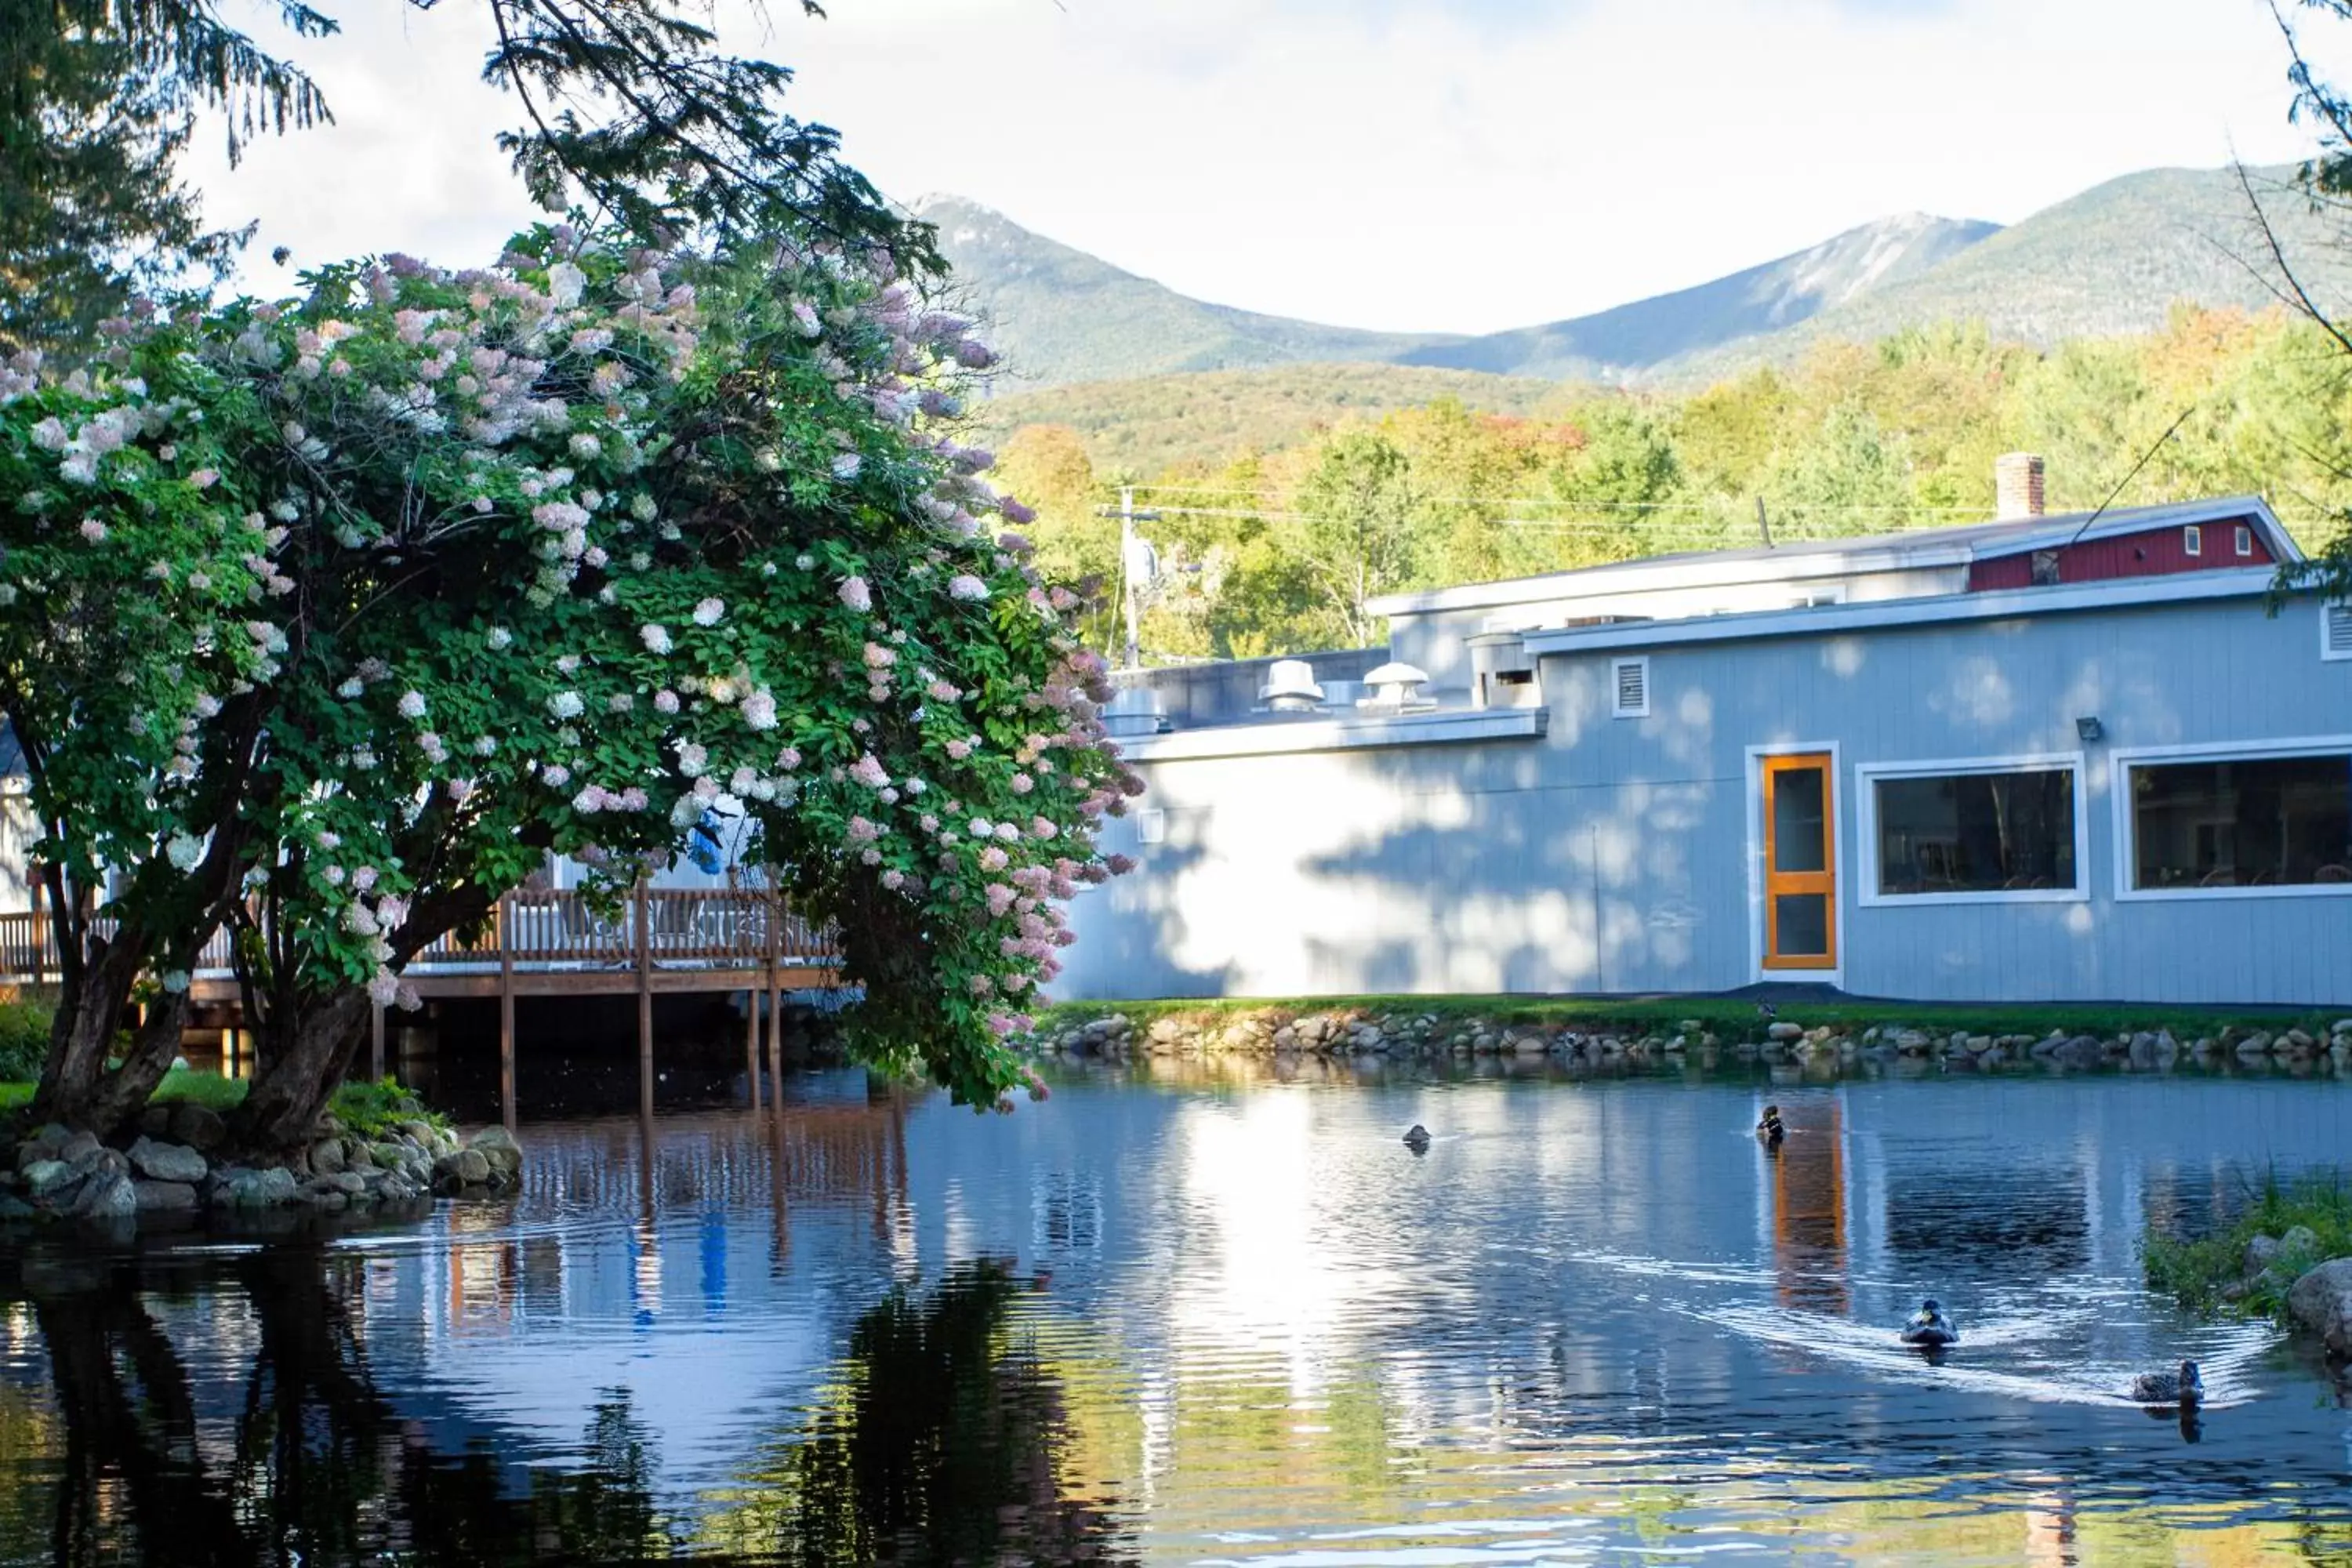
1215 1322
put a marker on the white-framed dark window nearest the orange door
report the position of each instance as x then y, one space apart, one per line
1975 831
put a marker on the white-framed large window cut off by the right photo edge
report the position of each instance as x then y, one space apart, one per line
2240 822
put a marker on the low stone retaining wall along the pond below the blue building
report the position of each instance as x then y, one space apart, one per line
1431 1038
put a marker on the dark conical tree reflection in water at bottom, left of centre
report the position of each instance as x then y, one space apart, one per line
940 1445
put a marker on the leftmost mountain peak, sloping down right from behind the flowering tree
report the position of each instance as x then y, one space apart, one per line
1062 316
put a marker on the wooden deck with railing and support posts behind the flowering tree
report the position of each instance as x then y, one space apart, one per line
655 942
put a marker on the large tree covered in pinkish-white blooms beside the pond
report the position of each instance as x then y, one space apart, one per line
333 617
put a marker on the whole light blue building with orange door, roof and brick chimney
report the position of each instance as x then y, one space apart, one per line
2031 760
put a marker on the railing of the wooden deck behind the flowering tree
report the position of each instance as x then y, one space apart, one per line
681 930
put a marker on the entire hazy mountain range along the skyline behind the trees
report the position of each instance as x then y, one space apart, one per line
2106 262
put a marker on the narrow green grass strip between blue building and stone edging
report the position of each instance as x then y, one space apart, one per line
1728 1017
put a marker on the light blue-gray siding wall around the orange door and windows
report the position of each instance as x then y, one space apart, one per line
1615 855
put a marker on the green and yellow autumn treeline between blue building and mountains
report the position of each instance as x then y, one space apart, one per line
1281 540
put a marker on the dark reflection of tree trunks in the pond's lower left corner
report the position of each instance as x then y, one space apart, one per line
321 1470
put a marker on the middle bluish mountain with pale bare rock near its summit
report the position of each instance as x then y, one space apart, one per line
1765 300
